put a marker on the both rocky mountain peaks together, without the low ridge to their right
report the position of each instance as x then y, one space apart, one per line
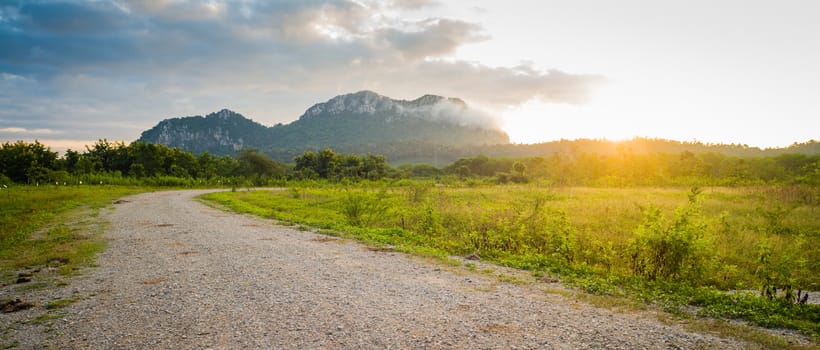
359 122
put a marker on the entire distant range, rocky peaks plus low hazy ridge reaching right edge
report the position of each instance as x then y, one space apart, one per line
430 129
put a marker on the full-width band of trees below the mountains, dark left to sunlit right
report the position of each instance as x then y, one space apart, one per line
153 164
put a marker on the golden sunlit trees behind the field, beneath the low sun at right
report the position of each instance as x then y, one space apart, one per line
642 169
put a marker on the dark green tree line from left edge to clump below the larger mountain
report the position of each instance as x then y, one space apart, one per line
149 163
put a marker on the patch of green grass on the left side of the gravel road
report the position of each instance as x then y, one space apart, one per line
48 226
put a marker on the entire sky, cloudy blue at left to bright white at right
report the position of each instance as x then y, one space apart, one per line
729 71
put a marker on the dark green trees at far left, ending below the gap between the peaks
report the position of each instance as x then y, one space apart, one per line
135 164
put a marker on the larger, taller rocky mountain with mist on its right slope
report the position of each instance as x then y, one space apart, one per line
367 118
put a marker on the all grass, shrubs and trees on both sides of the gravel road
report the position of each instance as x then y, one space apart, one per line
694 234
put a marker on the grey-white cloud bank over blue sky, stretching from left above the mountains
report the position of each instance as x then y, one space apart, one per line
95 69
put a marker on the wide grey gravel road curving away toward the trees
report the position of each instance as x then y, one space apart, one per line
180 275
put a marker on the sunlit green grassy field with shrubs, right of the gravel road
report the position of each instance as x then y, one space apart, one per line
667 246
